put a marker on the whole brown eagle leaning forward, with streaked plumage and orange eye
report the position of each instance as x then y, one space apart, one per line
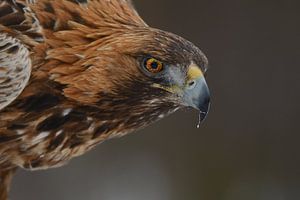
74 73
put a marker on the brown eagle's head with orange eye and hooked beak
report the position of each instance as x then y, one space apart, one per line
137 76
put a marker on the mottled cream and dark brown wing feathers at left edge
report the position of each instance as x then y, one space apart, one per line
19 33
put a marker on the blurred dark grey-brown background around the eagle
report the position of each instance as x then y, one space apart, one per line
249 146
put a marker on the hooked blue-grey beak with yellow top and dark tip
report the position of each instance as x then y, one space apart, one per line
196 93
